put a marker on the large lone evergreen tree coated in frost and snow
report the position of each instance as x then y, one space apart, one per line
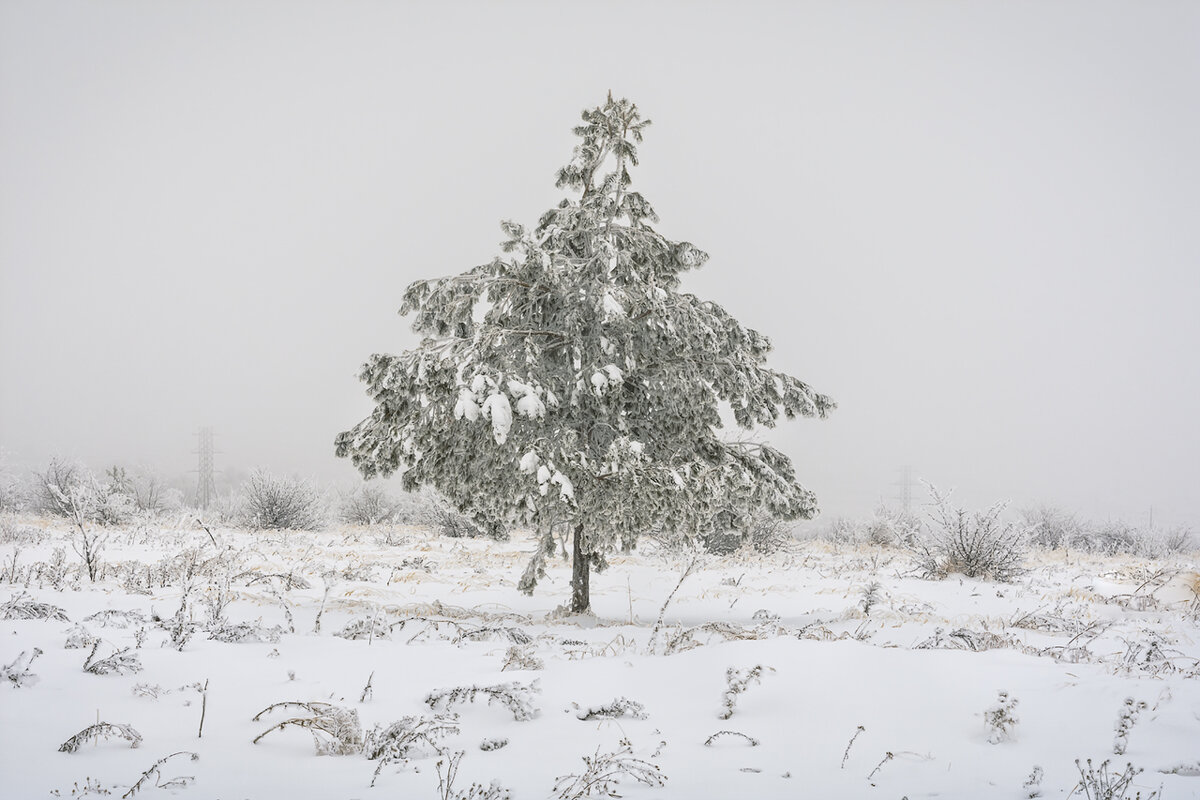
572 383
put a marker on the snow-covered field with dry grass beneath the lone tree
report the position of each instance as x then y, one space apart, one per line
889 702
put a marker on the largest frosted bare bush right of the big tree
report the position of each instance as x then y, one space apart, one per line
979 544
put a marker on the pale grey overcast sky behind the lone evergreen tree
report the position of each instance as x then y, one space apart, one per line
974 225
